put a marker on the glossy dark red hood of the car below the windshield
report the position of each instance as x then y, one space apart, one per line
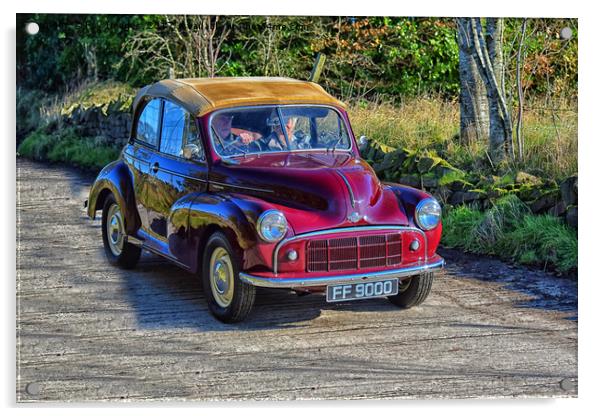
315 190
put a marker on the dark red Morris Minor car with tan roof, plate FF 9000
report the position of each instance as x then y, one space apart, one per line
258 182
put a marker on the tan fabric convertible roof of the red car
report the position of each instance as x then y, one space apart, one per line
202 95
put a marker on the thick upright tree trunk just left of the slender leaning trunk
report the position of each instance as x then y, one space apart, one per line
474 117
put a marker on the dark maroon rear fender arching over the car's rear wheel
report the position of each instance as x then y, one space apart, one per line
115 178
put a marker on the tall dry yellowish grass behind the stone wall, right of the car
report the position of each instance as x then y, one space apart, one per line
432 124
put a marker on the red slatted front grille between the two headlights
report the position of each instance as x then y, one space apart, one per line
354 253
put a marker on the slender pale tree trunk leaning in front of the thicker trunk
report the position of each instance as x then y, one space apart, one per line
484 46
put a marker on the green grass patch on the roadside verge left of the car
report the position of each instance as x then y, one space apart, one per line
67 147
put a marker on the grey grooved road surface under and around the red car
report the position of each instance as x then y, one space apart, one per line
88 331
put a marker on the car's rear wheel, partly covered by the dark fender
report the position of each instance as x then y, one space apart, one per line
119 252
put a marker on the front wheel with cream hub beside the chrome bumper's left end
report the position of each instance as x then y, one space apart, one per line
230 300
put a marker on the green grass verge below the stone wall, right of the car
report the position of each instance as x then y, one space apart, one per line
510 231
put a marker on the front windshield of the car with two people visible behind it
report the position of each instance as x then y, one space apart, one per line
267 129
